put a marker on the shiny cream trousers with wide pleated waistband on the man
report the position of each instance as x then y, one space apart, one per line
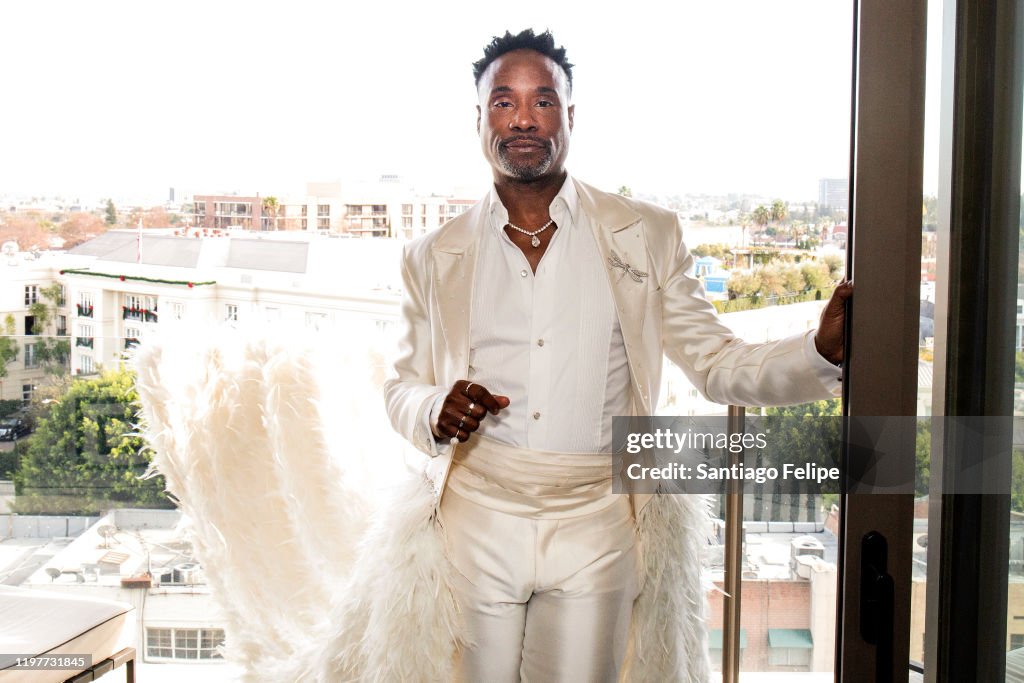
547 565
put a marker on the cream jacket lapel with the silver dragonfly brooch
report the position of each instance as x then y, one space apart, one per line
620 237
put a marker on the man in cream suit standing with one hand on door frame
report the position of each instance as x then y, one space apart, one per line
530 322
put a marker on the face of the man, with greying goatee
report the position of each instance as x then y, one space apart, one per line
525 117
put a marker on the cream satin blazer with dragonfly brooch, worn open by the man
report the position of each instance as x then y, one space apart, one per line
662 312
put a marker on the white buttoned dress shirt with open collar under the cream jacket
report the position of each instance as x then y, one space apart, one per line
549 341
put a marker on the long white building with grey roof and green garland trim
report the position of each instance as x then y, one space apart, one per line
298 280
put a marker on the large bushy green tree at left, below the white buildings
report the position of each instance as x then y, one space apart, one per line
84 458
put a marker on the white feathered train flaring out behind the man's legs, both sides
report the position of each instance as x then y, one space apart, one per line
319 543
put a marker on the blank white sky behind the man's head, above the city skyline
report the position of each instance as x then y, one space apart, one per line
119 99
